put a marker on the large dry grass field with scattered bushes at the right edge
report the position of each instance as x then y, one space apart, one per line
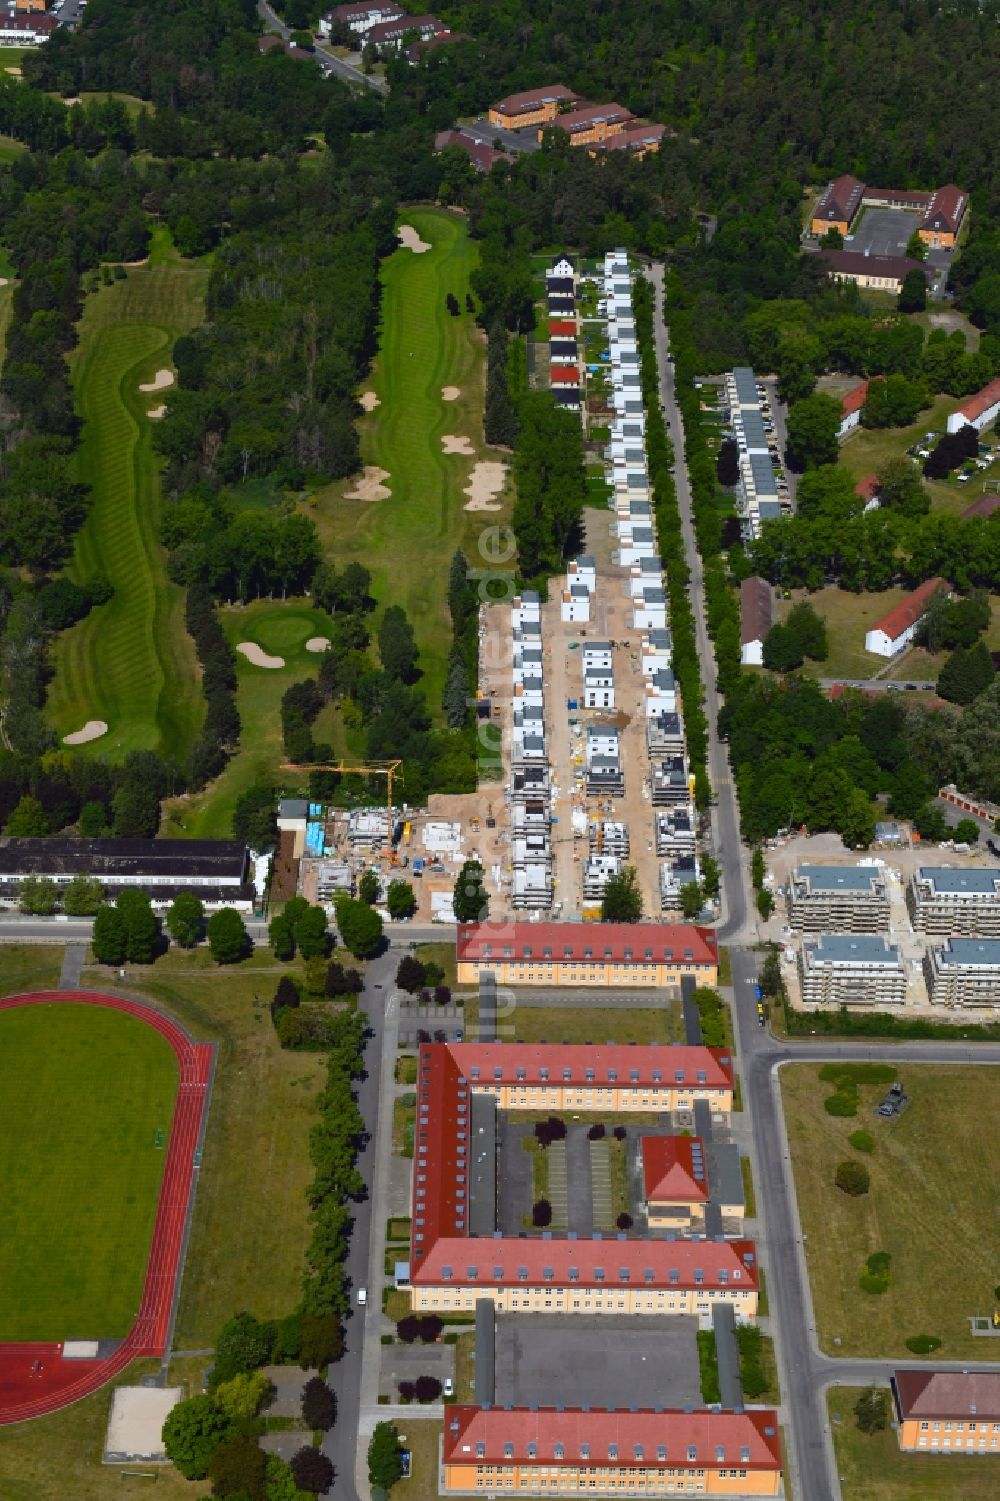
933 1206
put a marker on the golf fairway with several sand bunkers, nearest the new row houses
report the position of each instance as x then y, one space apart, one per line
409 540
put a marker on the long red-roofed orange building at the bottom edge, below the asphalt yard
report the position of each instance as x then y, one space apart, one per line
636 1452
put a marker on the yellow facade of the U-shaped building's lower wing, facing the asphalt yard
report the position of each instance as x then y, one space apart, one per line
577 1299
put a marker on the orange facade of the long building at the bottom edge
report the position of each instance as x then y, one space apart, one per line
606 1481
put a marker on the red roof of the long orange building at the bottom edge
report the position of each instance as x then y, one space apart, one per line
664 1440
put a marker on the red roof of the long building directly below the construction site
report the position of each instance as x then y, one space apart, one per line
606 942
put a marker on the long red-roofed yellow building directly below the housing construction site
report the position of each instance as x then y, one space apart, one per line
625 955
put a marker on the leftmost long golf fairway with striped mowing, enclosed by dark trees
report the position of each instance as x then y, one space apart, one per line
130 663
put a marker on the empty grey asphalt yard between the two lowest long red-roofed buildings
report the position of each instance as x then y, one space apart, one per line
598 1362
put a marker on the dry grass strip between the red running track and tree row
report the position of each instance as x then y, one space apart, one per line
252 1218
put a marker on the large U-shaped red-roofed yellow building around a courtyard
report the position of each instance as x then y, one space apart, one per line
457 1256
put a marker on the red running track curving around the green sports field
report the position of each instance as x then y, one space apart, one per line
28 1392
